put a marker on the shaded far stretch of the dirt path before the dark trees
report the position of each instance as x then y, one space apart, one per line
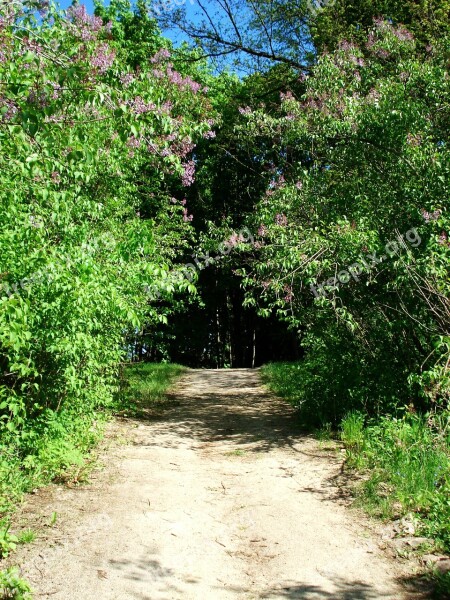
226 406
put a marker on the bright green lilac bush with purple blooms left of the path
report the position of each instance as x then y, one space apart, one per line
95 141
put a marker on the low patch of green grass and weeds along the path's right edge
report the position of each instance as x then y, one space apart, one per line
408 465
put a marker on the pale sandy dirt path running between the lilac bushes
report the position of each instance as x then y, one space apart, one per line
218 499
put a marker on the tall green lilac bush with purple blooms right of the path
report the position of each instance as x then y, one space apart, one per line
357 149
